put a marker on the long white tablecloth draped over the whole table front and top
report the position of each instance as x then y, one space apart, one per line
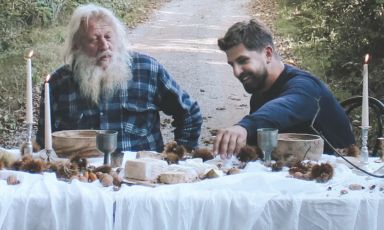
255 199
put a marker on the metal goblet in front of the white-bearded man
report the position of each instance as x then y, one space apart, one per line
106 142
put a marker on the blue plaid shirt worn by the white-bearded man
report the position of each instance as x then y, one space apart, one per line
134 113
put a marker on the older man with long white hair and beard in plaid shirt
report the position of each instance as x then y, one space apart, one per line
104 86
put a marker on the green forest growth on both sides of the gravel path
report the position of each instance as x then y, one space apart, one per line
326 37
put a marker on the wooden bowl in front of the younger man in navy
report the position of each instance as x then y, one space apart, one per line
294 147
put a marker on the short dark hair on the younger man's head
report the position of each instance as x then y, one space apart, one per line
254 35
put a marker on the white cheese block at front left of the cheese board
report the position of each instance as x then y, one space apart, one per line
145 168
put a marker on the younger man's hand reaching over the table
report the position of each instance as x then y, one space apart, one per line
229 141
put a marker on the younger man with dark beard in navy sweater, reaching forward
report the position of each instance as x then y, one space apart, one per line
283 96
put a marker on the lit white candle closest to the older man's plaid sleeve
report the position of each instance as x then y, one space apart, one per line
47 116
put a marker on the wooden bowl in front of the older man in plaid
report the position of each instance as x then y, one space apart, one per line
68 143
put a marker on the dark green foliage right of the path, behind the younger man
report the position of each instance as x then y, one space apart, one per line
340 33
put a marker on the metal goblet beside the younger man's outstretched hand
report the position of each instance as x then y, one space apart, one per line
267 141
